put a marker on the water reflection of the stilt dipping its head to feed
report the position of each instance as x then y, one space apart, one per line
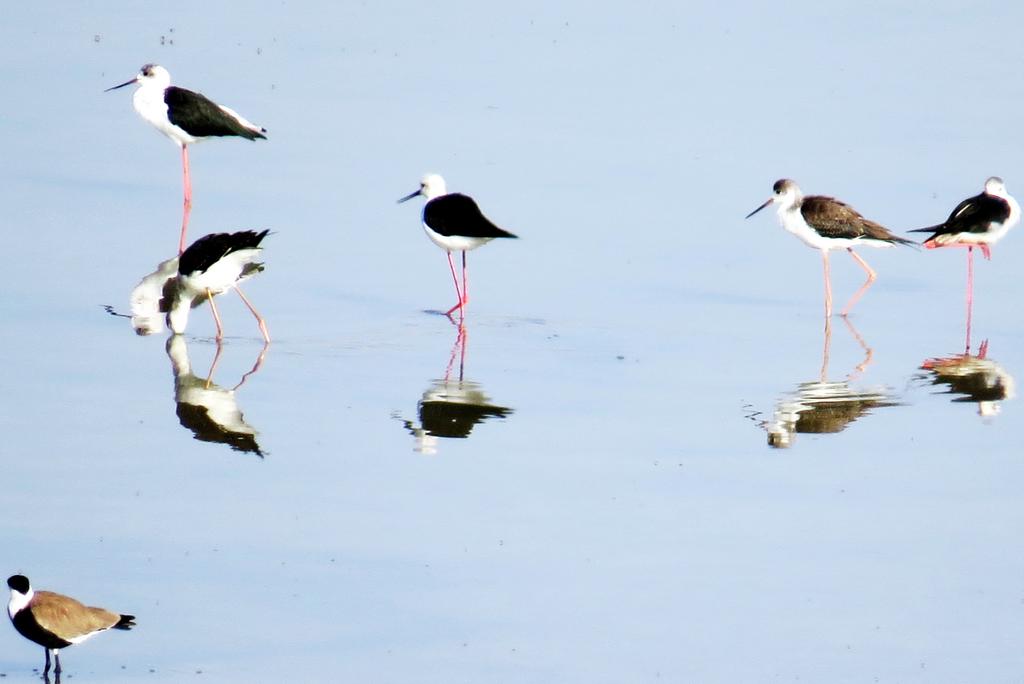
210 411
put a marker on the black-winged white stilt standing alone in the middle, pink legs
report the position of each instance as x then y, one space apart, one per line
455 224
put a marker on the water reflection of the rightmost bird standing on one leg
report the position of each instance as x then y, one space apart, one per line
972 378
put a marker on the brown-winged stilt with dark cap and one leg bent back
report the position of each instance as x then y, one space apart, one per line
826 224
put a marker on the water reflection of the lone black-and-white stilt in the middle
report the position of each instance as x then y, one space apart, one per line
452 408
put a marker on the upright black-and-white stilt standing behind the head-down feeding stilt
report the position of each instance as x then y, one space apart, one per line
185 117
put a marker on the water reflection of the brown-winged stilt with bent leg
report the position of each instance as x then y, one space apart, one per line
823 406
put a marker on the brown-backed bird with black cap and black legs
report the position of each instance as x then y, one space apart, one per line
55 621
